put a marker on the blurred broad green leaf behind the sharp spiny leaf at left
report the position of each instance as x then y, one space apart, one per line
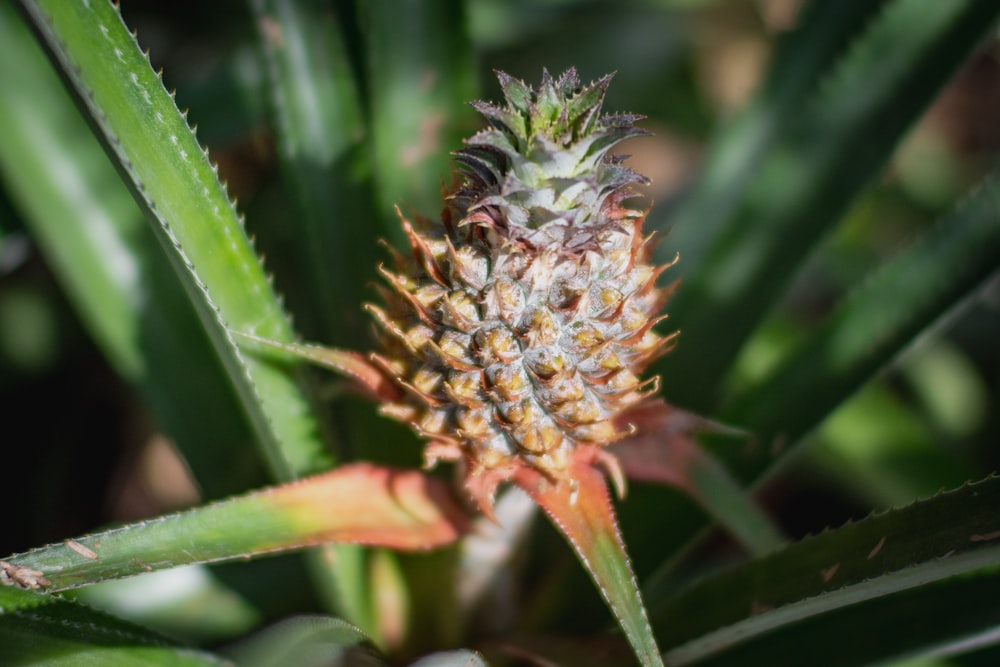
109 262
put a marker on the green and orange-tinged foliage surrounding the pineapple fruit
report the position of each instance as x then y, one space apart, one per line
838 233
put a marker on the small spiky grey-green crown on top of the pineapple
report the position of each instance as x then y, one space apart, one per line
541 172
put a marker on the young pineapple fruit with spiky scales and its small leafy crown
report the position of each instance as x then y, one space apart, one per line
518 330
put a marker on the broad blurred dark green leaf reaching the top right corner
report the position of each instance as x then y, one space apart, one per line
827 152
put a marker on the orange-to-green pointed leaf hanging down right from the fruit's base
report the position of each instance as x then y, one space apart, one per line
580 506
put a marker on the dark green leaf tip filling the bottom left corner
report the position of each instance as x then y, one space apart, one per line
47 630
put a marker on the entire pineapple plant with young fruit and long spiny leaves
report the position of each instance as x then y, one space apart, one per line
517 339
